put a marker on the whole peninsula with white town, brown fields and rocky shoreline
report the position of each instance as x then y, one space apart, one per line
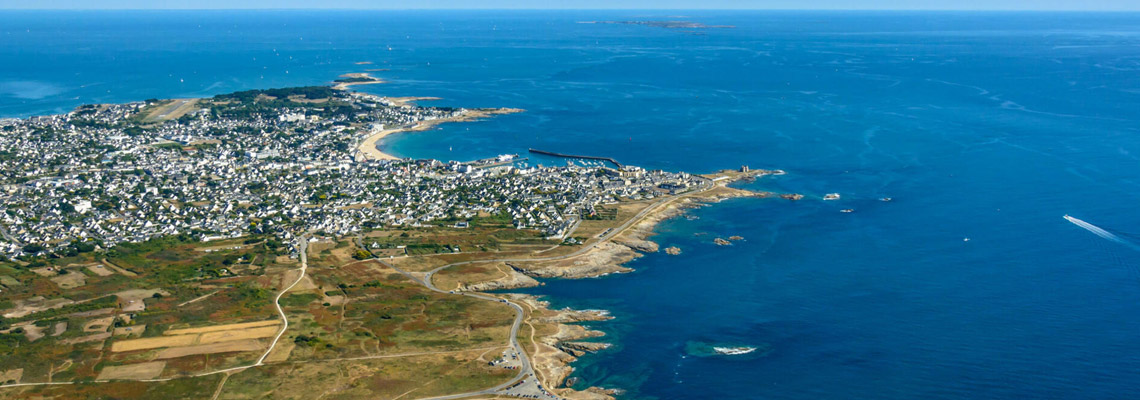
249 246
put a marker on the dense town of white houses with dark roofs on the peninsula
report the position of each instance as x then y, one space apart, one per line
105 175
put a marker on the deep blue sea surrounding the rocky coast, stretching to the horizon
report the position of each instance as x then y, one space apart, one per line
981 126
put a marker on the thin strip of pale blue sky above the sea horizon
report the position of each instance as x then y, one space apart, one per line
876 5
